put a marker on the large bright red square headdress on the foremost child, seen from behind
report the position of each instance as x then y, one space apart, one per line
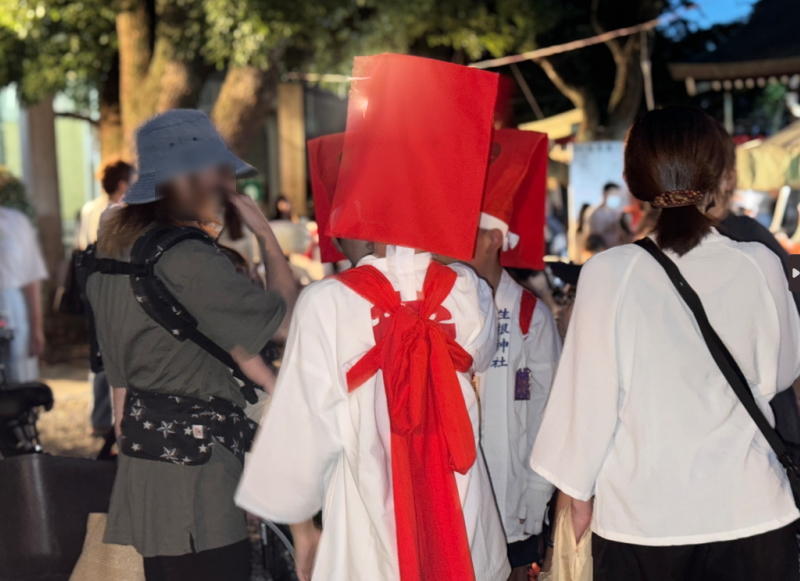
415 154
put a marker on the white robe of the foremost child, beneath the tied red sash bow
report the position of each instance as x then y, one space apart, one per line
321 447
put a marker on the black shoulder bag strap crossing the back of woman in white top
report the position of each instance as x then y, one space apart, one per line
788 453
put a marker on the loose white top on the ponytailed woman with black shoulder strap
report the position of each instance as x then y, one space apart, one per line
641 417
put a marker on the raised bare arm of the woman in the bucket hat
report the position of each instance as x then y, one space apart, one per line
279 275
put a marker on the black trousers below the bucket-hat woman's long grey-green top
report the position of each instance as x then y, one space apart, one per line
229 563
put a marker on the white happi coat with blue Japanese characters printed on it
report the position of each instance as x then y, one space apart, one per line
509 426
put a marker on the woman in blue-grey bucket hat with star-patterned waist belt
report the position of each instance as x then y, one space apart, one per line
173 496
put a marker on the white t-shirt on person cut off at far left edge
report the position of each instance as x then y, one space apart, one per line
21 261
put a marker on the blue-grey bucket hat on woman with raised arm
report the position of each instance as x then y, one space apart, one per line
176 143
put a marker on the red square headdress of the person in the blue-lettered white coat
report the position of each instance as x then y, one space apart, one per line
514 202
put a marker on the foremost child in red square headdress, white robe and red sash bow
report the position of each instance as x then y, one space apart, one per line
374 419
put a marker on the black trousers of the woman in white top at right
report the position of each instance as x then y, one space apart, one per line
771 556
